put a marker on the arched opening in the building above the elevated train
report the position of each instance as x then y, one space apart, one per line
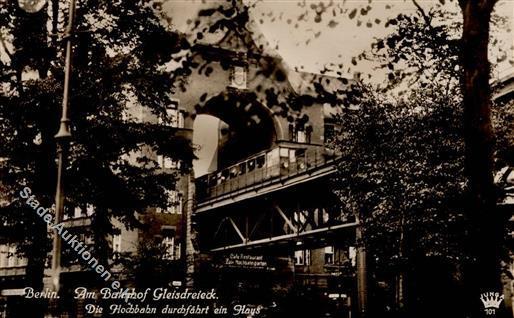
229 128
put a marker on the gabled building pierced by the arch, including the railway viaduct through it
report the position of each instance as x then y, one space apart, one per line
262 226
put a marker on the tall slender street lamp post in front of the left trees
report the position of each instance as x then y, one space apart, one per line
62 137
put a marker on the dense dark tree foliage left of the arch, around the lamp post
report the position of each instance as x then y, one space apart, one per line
121 49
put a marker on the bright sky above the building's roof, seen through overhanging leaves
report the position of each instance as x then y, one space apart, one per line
307 49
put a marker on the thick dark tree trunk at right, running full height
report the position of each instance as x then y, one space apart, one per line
482 273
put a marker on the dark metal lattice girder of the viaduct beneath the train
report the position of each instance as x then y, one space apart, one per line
283 216
